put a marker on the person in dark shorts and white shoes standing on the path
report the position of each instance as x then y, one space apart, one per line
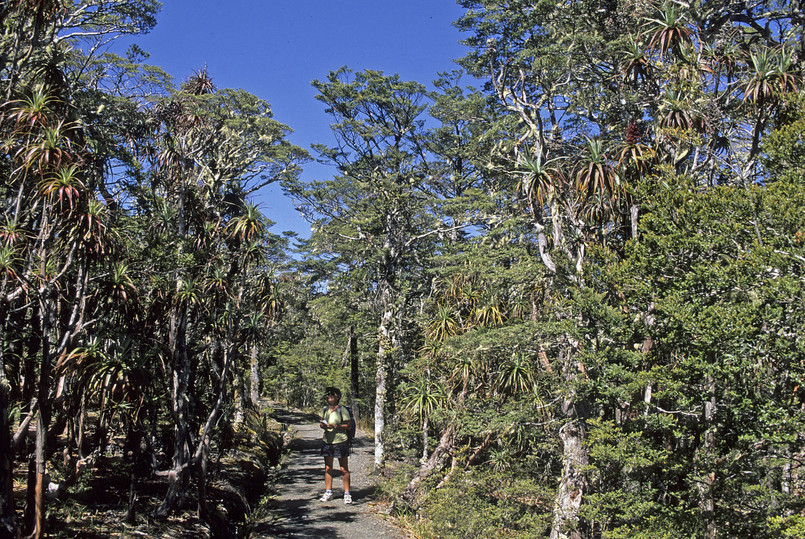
335 422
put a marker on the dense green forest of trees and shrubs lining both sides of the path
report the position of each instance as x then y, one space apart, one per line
568 302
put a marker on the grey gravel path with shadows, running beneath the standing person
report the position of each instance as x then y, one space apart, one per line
297 509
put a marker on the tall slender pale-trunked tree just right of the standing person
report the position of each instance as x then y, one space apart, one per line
377 216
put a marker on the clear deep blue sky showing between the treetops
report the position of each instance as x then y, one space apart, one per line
275 48
